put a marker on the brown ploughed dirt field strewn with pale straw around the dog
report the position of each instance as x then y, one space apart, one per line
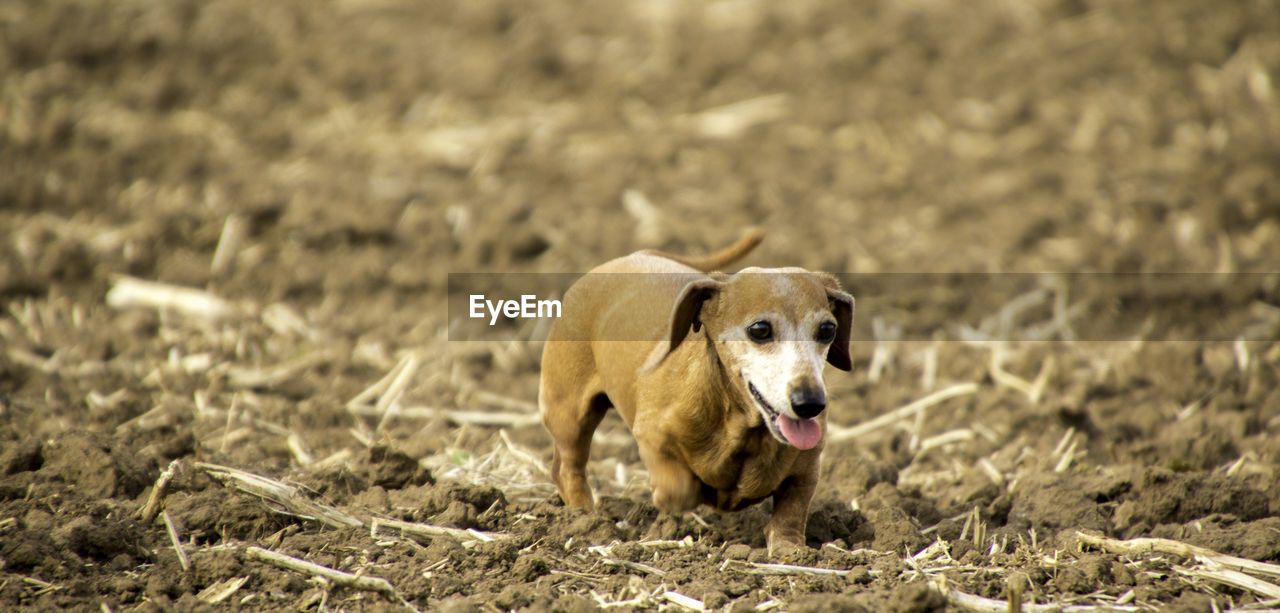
314 171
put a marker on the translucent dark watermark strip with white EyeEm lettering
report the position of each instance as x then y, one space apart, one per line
922 306
